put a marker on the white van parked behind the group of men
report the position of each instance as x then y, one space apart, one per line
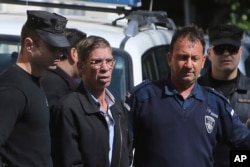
139 43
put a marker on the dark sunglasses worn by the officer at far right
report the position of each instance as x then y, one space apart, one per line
220 49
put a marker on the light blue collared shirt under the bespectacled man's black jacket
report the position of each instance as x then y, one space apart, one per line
109 119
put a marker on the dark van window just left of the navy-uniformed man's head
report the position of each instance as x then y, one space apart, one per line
154 63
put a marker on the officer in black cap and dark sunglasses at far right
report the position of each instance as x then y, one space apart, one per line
224 54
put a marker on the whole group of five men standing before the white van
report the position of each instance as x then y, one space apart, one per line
56 109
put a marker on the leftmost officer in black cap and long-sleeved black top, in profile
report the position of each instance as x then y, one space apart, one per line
24 112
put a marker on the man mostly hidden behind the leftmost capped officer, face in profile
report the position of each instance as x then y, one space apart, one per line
63 79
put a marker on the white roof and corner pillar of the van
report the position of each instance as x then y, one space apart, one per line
134 45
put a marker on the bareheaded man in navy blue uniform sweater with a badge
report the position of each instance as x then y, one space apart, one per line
176 122
